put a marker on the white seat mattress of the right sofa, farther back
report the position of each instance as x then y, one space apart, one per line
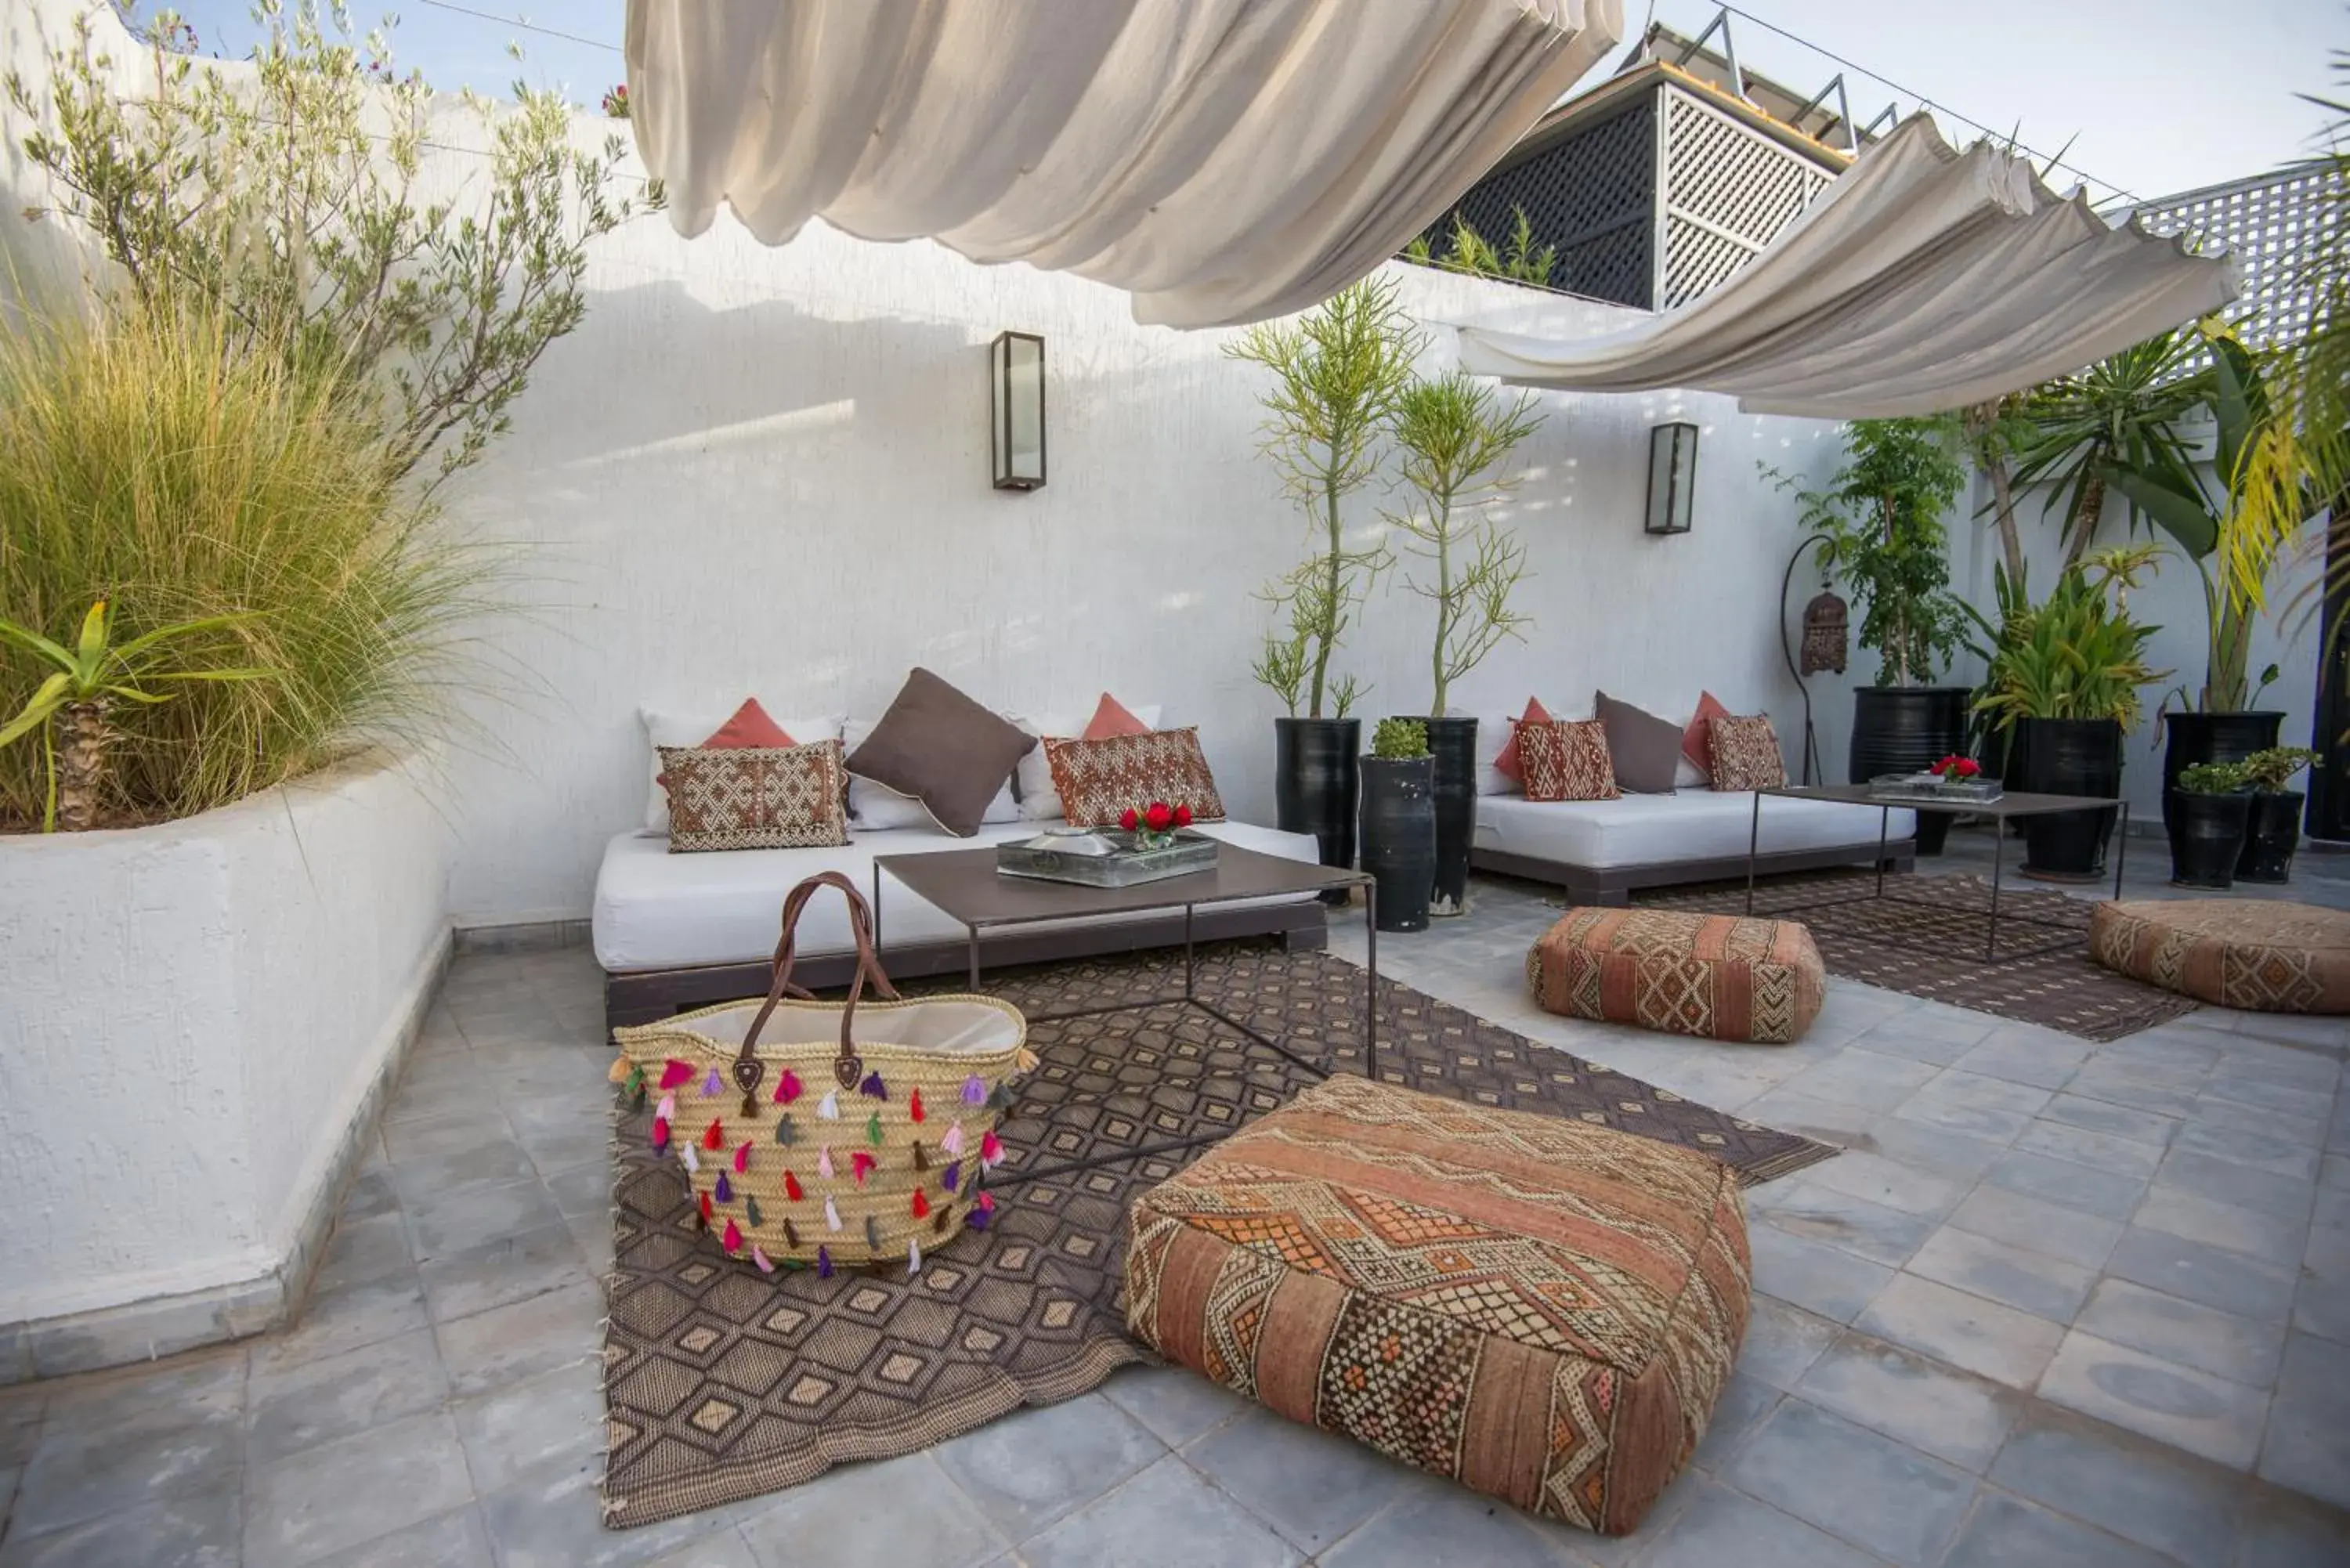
1665 829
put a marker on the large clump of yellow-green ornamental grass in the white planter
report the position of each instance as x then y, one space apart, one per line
147 464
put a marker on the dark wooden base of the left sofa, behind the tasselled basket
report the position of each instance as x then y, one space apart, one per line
645 996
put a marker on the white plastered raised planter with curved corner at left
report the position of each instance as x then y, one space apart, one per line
199 1026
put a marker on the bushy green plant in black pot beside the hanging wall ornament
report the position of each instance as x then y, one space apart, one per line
1886 542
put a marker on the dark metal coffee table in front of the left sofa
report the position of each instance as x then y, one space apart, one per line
969 890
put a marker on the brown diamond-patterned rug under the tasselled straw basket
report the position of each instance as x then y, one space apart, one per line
725 1383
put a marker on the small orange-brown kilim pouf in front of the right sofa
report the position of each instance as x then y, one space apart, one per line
1714 977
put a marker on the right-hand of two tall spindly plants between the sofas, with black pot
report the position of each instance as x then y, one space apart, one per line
1456 436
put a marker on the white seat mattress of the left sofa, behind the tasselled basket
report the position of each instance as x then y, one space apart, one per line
662 911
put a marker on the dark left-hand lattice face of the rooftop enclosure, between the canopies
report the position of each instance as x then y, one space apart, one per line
1590 196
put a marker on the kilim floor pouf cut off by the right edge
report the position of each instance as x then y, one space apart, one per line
2250 953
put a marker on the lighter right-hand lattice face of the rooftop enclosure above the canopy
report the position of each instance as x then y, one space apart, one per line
1728 192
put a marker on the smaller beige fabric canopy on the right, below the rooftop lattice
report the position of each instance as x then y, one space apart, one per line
1921 281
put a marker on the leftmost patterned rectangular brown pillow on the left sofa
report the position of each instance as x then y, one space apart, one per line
756 796
